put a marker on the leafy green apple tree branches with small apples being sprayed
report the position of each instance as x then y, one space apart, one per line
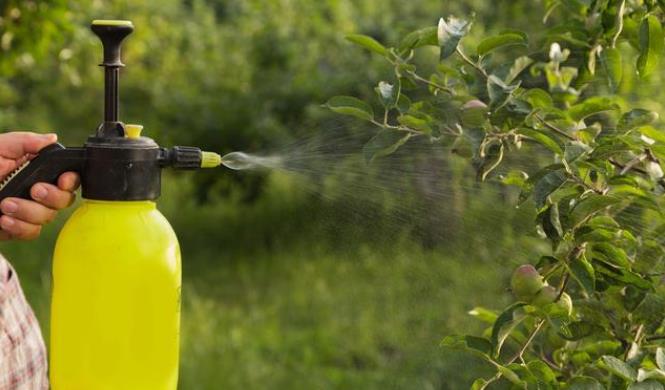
598 172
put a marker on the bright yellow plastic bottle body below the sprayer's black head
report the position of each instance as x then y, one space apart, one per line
115 310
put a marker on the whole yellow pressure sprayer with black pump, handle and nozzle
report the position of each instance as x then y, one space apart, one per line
115 310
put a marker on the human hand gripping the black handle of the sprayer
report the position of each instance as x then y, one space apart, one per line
23 219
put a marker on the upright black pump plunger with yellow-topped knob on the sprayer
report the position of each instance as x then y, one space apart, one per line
111 33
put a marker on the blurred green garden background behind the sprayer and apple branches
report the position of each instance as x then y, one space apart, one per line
322 280
